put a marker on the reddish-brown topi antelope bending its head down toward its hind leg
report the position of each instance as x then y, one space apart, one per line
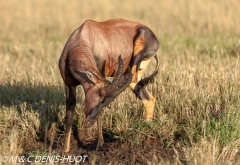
96 50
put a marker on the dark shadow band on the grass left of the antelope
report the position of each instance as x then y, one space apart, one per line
14 95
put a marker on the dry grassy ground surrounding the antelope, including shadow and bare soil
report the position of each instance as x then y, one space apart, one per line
197 115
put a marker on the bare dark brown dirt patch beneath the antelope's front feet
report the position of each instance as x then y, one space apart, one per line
114 151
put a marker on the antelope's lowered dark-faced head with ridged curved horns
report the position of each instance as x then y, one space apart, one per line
96 98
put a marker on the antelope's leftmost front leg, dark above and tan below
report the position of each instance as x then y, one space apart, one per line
70 108
